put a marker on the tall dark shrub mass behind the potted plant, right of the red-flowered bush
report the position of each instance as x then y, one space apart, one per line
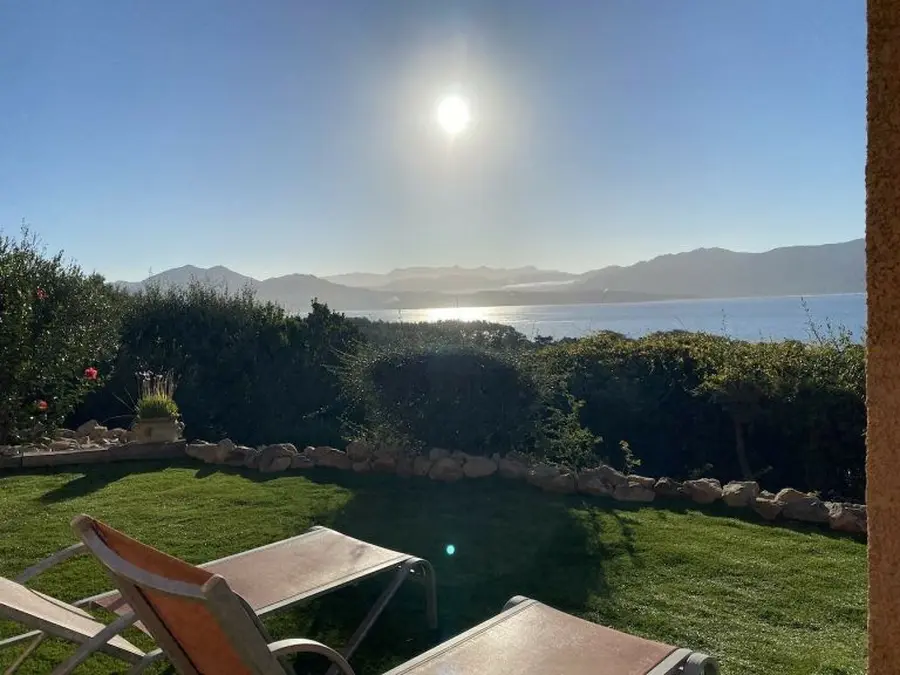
245 369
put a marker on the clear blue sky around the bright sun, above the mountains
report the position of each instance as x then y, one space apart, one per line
284 136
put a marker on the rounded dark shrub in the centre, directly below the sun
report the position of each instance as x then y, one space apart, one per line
478 400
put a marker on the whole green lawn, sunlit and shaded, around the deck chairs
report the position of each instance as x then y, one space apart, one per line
764 599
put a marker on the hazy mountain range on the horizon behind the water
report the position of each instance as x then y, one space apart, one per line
701 273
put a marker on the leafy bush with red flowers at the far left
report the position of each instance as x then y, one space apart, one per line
57 327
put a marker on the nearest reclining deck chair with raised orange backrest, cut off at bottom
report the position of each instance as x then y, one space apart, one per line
205 628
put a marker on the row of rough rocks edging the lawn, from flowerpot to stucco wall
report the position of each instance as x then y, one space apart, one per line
603 481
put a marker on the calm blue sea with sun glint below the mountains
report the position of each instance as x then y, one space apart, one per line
757 319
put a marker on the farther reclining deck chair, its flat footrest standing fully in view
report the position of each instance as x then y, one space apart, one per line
269 578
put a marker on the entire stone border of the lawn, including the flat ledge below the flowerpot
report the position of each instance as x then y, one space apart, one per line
92 443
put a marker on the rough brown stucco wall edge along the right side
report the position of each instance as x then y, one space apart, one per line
883 281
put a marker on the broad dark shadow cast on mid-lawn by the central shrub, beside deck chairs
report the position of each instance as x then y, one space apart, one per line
504 543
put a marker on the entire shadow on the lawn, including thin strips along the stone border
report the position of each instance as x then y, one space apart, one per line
508 539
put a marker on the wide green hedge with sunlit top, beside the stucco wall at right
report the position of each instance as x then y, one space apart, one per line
785 413
